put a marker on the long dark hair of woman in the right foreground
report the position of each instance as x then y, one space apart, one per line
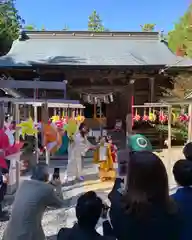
147 185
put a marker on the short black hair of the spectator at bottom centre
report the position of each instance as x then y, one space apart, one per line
88 210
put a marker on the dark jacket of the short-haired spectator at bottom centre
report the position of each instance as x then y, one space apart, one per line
77 233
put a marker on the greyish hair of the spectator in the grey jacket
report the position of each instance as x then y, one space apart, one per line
40 172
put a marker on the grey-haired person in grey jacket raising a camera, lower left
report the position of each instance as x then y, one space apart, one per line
31 200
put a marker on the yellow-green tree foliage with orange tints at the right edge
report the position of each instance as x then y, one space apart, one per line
180 39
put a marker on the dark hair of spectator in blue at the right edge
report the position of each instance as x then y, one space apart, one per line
182 171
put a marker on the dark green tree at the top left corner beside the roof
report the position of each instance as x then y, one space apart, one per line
10 24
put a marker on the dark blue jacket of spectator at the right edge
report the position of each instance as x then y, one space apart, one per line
183 198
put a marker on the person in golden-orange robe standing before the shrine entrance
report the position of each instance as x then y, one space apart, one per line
103 157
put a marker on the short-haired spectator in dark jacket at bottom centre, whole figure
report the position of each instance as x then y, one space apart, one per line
88 211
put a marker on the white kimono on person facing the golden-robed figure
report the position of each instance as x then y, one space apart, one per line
76 150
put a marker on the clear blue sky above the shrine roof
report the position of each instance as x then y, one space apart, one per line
116 14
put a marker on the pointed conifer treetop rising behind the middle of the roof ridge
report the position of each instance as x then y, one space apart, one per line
95 23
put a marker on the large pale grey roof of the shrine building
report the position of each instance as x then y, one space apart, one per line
133 49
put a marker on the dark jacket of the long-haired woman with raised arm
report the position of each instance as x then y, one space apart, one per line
160 225
